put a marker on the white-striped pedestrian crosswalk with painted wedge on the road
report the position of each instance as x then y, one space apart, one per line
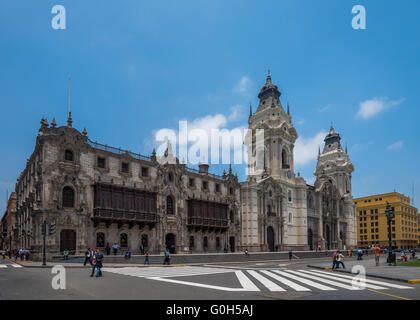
274 280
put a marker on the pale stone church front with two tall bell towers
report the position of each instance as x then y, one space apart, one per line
279 210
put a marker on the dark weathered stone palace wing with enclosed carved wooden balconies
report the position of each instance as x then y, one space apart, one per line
97 195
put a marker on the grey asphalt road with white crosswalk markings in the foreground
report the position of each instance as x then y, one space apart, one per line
284 281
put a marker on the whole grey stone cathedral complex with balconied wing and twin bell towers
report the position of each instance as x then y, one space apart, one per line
94 195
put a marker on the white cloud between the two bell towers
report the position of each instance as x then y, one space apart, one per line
306 149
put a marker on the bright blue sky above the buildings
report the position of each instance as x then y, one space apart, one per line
138 66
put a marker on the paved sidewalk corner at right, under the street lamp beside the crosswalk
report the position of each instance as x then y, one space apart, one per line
399 273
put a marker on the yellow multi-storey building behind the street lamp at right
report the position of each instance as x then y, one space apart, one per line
372 227
